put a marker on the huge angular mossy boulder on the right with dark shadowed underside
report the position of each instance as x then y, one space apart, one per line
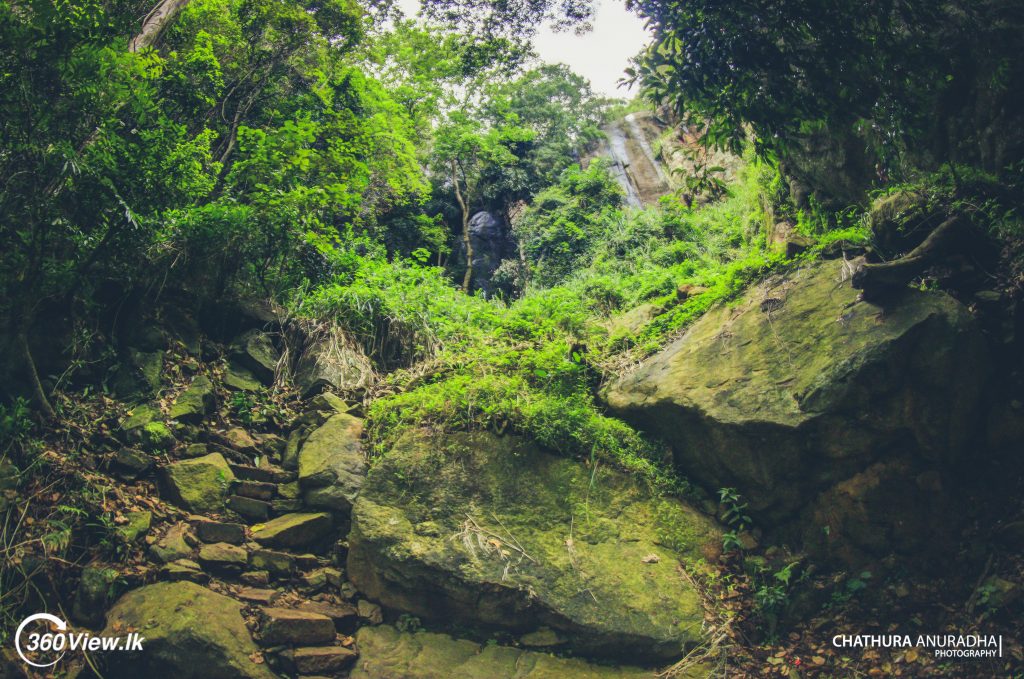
800 386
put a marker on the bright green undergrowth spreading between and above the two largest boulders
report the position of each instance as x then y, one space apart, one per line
535 365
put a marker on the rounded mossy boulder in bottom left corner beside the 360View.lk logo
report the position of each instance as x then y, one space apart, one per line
190 631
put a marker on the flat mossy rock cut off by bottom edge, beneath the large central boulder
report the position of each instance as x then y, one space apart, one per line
388 654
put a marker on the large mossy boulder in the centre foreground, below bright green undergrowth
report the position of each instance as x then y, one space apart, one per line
494 532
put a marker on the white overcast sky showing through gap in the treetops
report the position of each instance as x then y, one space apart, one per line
601 56
